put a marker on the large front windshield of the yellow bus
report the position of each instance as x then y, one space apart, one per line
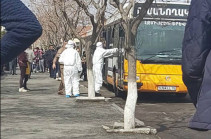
160 42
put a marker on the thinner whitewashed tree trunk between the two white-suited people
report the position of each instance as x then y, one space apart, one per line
90 77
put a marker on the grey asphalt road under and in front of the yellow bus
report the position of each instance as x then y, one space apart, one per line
167 113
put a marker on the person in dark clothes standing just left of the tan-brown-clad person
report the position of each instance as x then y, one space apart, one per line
49 55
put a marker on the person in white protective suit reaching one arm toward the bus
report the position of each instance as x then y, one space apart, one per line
98 59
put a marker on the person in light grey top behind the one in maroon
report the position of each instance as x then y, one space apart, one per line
31 57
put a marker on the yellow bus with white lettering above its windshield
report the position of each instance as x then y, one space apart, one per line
158 50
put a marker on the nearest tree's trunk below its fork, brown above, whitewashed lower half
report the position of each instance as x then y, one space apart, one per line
129 112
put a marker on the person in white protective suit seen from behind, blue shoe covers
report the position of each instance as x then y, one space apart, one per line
72 65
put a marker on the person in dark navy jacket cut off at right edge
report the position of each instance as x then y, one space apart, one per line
196 62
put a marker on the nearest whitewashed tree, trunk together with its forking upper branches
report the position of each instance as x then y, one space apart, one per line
130 26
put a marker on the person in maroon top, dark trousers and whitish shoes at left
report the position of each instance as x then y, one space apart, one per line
22 61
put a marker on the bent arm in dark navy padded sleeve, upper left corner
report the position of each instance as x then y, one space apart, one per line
22 29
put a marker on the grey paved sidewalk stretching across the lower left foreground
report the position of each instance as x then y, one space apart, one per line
41 113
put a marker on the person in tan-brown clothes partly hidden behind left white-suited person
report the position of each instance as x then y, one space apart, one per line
61 90
